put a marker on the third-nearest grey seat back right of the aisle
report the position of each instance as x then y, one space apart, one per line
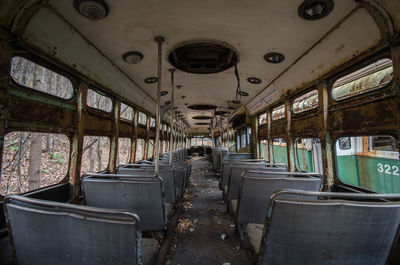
237 170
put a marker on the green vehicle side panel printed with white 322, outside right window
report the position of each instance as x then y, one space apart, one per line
379 174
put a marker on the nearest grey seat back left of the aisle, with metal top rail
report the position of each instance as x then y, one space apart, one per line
48 233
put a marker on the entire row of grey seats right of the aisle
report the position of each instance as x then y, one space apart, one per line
284 218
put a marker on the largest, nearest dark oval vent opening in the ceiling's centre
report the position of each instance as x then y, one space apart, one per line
203 57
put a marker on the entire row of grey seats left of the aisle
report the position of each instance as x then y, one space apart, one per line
108 228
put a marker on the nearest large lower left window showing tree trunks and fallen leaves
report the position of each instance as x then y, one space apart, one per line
33 160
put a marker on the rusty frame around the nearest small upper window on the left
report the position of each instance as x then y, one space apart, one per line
47 65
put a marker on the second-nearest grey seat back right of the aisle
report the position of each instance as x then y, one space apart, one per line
255 193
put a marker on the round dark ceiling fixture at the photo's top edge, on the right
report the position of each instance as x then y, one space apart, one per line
315 9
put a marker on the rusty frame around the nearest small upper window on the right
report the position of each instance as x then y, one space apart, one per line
355 68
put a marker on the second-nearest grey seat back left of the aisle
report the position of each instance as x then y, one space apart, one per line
143 195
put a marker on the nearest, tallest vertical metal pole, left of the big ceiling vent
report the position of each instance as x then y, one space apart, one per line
159 41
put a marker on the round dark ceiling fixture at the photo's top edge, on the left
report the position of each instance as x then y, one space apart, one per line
92 9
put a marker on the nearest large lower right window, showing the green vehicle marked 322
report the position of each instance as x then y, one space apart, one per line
372 162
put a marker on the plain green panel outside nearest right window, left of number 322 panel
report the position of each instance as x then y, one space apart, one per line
347 169
